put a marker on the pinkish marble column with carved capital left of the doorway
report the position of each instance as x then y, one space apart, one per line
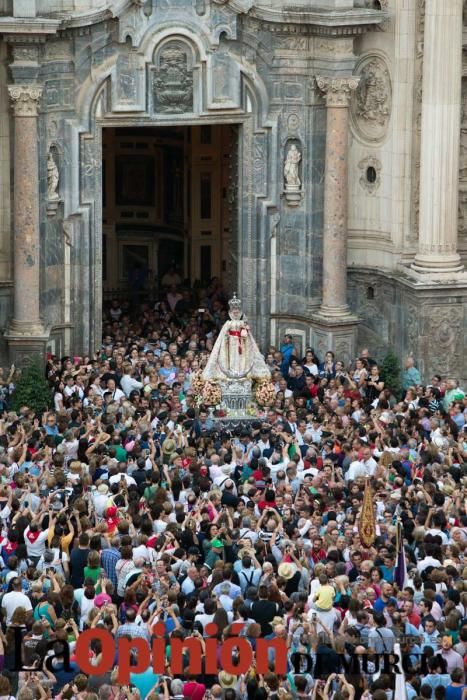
26 316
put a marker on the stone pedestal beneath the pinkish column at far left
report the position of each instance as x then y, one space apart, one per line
26 341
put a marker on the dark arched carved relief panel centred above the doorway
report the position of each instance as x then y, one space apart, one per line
173 81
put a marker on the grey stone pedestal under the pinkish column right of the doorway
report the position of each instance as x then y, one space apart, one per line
336 333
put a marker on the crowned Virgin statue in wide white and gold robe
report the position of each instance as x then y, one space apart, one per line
235 354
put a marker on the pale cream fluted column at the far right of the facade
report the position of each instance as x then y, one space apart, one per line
439 162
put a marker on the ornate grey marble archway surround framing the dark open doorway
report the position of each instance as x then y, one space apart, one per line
174 76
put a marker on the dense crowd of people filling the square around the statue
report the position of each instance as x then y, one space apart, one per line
128 503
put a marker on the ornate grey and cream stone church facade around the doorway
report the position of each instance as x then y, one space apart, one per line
349 254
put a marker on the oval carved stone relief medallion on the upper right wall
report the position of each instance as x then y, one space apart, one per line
371 106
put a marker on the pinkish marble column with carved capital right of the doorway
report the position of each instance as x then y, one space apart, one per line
338 92
